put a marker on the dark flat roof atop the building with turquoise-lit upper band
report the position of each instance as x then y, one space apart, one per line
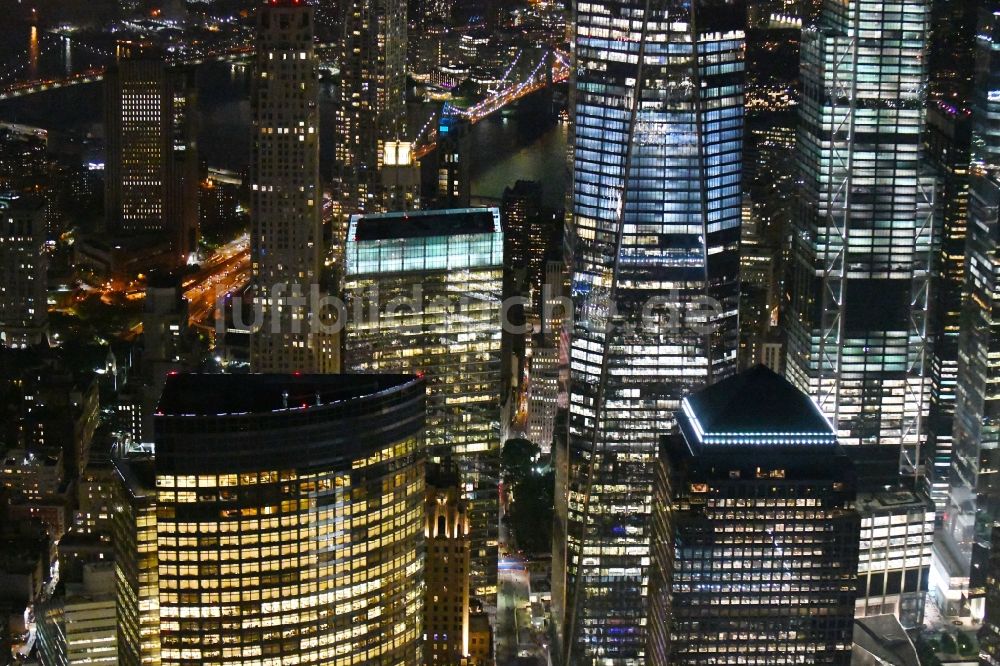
419 224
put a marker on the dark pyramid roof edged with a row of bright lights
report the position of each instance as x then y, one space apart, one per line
757 400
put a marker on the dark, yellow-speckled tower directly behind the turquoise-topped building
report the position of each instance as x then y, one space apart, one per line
370 106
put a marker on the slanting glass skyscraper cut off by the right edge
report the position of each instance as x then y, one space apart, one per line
962 549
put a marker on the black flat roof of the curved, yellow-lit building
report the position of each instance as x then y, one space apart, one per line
219 394
